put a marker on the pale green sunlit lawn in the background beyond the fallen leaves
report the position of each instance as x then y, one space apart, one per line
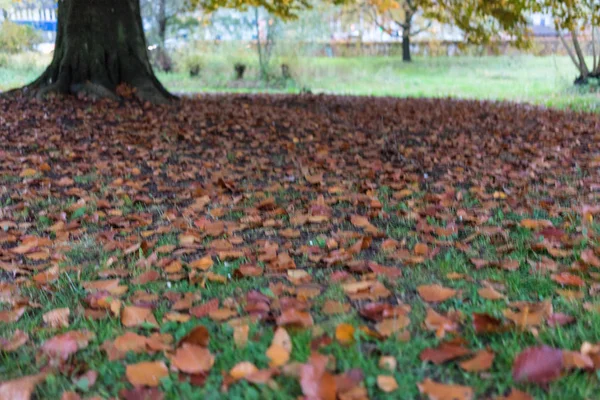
521 78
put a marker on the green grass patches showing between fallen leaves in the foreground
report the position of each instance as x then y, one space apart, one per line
521 285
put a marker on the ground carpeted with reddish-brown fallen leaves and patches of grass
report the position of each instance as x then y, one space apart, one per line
271 247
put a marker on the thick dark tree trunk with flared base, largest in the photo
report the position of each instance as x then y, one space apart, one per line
100 45
